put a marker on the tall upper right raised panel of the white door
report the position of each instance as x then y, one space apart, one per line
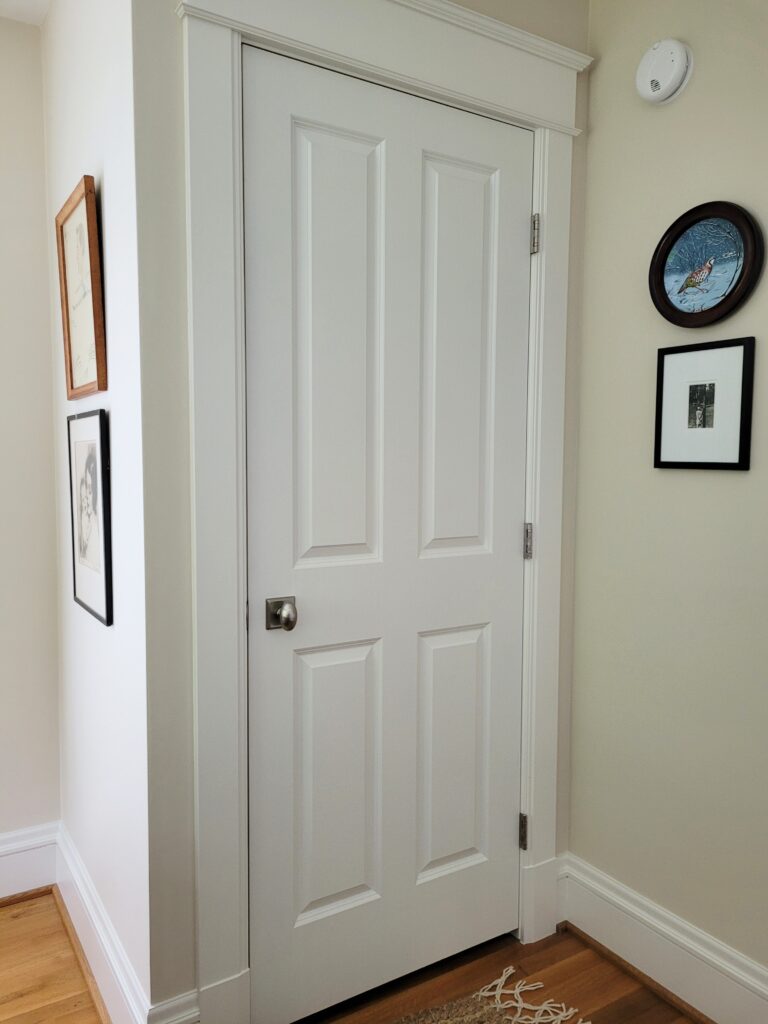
460 269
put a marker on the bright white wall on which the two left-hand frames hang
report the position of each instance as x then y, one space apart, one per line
89 81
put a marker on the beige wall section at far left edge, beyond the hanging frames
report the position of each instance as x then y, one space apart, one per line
29 744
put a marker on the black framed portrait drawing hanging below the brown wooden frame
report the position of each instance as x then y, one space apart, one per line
92 521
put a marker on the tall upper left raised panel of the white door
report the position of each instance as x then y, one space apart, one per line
338 269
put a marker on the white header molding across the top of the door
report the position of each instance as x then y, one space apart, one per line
511 75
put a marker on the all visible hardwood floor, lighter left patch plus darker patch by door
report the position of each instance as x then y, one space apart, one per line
45 978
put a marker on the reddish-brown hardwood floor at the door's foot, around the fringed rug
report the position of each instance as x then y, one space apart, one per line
573 972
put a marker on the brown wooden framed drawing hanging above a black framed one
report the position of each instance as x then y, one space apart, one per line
82 301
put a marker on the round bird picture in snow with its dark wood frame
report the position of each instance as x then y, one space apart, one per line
707 265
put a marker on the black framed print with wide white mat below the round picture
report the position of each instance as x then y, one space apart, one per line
704 406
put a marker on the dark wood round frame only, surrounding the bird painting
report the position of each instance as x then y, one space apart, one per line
753 239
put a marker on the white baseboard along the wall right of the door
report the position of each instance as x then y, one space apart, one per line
716 979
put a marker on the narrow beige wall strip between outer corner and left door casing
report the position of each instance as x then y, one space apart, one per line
162 208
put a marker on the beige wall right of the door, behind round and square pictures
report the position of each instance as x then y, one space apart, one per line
671 691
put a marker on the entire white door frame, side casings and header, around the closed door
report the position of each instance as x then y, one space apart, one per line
435 50
